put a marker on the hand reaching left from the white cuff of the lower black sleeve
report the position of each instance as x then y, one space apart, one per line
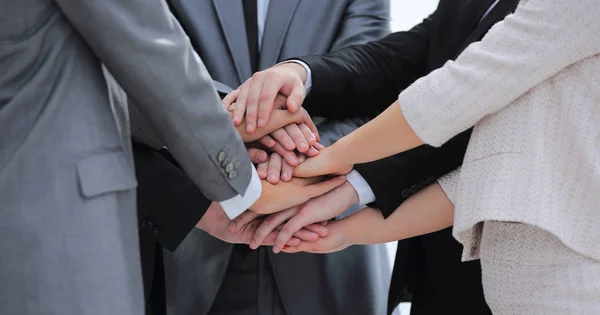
319 209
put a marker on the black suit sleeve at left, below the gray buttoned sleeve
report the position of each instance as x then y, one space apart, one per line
169 203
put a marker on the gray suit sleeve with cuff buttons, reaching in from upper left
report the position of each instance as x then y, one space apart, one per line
145 49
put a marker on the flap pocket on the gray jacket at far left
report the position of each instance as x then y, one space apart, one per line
105 173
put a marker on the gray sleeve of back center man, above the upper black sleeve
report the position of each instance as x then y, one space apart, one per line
363 21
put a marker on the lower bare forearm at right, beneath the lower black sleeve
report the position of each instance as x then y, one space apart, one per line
426 212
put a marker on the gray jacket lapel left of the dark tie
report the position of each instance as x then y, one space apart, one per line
231 17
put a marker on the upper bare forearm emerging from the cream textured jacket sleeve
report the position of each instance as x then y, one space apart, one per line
386 135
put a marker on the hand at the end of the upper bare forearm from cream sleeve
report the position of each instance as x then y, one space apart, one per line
327 162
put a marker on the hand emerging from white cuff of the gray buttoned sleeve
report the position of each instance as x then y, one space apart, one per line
285 195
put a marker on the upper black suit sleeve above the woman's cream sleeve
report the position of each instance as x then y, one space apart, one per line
363 80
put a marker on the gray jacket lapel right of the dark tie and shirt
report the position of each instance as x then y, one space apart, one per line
278 21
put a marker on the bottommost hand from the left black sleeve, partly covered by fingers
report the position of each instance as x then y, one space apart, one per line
216 223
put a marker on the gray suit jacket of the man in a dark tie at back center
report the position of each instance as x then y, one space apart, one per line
354 281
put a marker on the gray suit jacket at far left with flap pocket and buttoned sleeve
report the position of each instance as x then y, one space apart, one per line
68 233
